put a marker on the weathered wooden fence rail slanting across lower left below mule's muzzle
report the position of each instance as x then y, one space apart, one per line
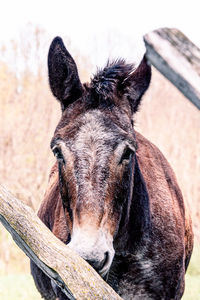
76 278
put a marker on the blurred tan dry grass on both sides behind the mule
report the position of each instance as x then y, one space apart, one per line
28 118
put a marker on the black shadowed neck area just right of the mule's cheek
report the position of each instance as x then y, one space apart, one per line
135 224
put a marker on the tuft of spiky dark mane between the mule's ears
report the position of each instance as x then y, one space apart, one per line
110 80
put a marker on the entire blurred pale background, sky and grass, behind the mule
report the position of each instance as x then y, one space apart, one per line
93 31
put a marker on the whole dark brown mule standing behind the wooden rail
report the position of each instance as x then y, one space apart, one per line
112 195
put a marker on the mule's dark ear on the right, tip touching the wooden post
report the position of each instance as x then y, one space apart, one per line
137 83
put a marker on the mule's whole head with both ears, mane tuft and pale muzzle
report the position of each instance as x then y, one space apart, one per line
94 144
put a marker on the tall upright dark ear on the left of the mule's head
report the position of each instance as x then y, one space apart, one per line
63 74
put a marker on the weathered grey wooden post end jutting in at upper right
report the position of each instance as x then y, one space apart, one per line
177 58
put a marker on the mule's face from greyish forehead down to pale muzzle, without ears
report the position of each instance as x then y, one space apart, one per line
94 156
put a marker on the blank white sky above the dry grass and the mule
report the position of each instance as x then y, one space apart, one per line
92 25
